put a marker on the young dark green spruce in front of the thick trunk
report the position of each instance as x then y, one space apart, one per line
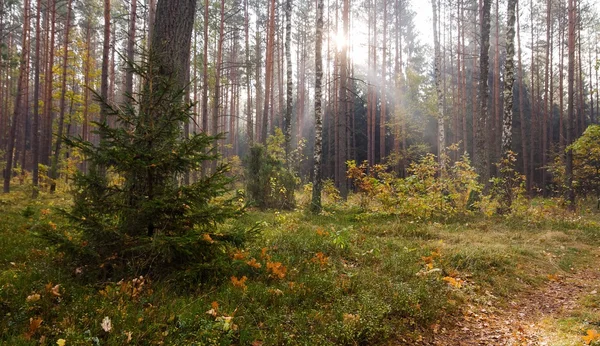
130 213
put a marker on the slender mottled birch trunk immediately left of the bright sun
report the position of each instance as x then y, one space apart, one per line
316 193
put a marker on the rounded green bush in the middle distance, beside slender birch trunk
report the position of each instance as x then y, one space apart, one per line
269 183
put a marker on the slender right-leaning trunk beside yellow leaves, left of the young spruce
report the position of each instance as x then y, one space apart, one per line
61 117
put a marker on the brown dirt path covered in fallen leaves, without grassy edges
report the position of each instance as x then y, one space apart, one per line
524 321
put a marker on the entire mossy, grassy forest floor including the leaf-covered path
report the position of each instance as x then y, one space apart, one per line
345 277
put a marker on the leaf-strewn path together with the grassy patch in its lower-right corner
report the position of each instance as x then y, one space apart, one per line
553 314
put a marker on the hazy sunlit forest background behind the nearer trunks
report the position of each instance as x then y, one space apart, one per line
379 95
